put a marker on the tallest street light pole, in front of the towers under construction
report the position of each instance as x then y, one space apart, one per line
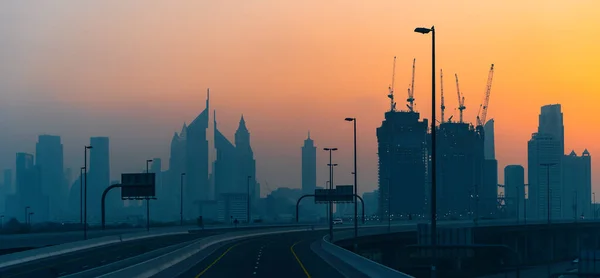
423 30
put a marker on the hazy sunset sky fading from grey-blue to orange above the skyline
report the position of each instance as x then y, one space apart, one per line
137 70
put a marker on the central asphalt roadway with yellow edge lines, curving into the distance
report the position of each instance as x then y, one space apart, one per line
287 255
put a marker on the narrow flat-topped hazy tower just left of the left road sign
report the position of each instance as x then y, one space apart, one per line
98 177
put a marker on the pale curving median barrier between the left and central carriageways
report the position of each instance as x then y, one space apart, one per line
161 263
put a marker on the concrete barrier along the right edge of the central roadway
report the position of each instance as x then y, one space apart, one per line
360 263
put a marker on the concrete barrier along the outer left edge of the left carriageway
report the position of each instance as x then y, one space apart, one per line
56 250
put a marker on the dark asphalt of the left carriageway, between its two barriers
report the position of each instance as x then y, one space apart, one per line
86 259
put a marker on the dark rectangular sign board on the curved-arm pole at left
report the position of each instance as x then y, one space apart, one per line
138 186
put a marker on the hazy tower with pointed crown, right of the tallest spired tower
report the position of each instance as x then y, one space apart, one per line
246 163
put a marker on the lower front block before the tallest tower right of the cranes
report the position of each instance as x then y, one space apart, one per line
544 156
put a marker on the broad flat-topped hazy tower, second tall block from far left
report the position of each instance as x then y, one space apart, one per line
49 160
